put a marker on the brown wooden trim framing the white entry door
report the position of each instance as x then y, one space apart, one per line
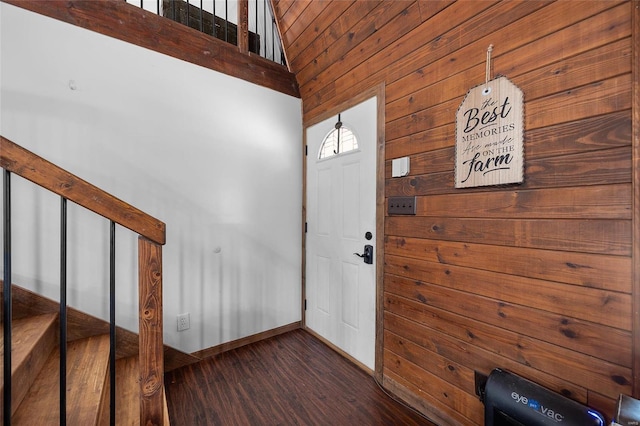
379 92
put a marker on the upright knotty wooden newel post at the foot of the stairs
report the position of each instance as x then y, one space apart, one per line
151 345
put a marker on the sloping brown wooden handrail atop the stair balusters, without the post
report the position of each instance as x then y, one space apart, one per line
22 162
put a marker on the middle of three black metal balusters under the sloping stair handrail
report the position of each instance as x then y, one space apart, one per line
63 311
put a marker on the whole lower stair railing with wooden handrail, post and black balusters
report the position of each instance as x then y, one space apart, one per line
151 236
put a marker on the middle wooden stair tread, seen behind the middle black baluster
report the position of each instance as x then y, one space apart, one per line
87 363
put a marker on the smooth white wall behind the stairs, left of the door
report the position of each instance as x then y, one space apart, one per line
216 158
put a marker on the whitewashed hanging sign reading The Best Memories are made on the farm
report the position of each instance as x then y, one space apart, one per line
490 134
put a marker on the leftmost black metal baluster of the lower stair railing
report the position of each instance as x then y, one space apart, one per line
7 309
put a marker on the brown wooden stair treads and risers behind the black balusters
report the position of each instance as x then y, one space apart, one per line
36 363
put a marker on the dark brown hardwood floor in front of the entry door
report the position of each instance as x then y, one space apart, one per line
291 379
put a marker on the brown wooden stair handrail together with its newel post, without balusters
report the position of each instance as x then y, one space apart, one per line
30 166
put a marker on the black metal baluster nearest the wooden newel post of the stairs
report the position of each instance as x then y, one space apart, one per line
112 323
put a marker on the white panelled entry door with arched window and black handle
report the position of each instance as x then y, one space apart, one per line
341 221
